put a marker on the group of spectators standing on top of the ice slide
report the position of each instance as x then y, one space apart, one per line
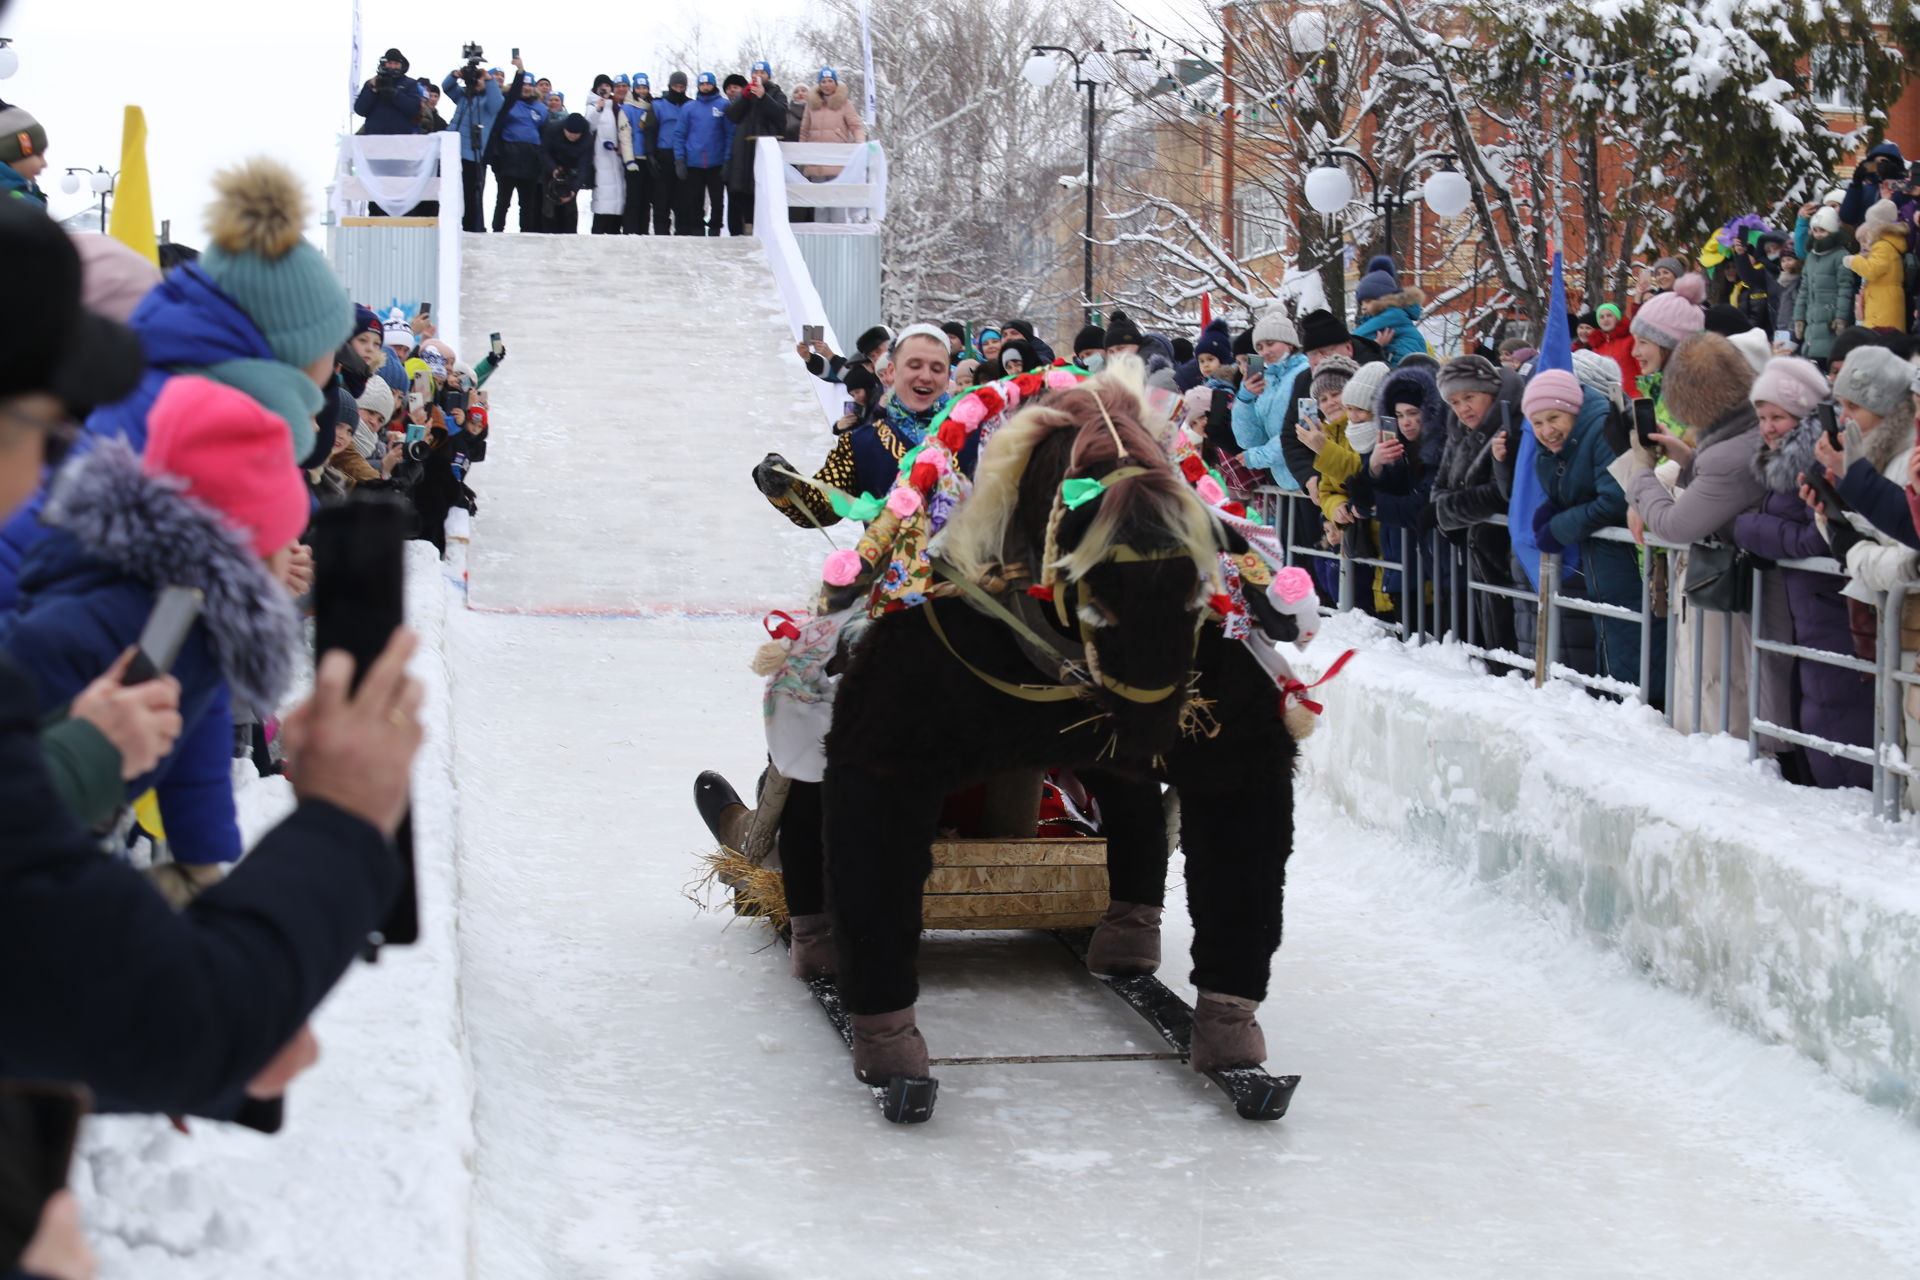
673 164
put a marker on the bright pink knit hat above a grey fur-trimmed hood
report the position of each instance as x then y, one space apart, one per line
233 458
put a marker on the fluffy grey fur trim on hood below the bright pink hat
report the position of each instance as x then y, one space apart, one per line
147 529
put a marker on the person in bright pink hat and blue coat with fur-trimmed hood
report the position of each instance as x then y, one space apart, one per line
216 504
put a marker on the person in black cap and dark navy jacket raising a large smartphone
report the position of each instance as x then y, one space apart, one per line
153 1008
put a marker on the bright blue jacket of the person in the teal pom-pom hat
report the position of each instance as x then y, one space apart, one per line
185 323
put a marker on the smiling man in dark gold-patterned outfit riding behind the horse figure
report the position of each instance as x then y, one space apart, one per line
869 458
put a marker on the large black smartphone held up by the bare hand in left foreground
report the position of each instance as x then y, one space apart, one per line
360 554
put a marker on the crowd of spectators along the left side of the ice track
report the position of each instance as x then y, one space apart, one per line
185 429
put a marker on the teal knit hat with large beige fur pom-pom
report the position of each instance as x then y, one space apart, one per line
264 262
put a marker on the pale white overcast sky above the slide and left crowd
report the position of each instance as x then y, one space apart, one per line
226 80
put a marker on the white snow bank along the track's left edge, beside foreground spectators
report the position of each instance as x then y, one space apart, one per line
372 1173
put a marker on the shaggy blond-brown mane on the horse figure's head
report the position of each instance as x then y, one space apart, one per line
1155 510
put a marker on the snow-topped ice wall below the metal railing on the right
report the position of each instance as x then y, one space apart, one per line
1790 911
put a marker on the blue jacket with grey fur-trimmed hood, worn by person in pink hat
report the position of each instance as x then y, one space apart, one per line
87 590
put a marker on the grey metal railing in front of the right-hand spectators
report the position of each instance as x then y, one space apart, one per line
1454 604
